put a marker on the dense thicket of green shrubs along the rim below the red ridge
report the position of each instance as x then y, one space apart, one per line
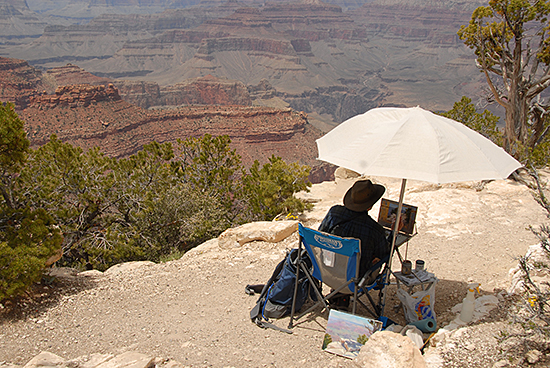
151 204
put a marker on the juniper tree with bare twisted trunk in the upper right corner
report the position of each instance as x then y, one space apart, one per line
511 41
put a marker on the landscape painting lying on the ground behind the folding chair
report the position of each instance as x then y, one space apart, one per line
346 333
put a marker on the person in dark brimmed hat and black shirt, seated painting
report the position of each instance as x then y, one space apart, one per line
352 220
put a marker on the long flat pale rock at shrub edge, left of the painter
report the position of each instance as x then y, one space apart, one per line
273 232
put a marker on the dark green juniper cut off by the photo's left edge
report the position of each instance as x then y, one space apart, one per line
28 235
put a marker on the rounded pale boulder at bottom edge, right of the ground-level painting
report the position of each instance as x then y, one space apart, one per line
389 350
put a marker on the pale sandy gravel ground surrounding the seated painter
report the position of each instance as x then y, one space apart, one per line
194 310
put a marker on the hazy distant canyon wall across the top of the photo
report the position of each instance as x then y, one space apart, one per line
315 56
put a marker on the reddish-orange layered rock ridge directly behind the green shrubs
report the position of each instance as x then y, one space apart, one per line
89 116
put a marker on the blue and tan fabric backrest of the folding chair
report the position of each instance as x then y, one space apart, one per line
335 260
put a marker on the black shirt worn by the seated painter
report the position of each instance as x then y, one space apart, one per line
347 223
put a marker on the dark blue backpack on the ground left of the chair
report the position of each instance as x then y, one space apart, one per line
275 299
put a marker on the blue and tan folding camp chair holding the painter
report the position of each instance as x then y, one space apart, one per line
335 262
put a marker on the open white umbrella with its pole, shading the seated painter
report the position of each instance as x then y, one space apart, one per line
412 143
